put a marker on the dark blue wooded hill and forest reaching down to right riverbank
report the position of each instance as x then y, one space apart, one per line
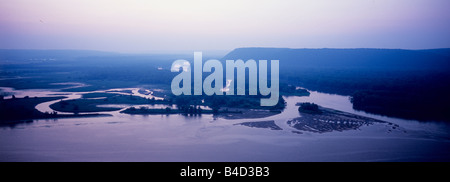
411 84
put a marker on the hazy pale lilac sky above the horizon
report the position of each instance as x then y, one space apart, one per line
148 26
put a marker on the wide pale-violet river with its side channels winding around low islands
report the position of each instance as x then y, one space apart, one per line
123 137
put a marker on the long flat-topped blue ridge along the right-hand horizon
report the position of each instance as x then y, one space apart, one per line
348 58
